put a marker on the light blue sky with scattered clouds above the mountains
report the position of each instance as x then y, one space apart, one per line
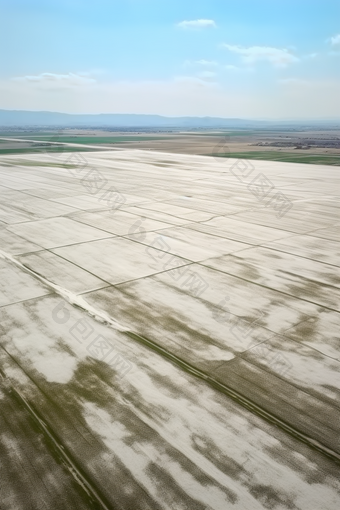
265 59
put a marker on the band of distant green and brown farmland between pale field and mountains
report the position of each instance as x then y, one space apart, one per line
277 144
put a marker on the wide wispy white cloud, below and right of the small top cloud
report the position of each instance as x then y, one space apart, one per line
276 56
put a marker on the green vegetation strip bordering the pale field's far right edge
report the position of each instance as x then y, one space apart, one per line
287 157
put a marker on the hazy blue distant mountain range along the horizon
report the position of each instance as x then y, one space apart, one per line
23 118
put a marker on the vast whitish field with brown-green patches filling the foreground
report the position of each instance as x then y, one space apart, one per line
169 332
